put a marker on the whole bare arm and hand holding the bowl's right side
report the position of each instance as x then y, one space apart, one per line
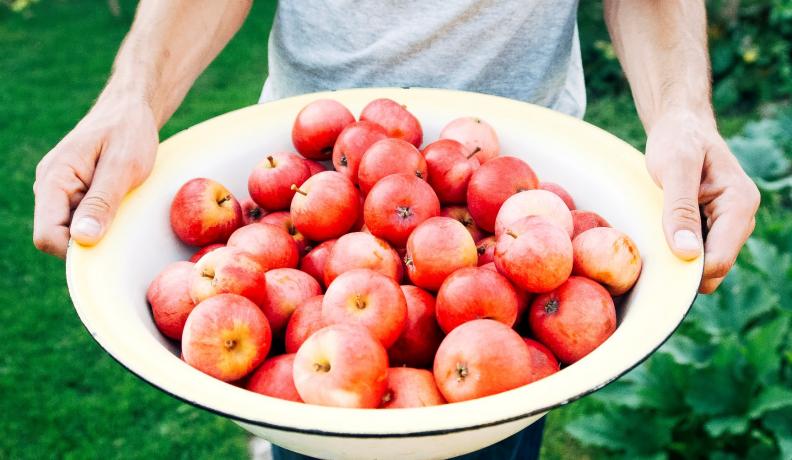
662 47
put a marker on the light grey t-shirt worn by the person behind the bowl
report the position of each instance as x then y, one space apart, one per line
527 50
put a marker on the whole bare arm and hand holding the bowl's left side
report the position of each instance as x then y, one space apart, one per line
81 181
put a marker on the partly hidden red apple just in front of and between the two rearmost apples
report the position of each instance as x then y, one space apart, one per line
352 143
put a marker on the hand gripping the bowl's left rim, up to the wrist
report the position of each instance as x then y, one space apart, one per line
80 183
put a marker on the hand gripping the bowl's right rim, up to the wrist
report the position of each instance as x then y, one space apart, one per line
690 161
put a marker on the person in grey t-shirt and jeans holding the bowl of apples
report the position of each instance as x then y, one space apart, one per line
526 50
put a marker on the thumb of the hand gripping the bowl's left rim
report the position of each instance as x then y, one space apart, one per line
96 210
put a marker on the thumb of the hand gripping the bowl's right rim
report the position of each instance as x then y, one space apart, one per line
681 217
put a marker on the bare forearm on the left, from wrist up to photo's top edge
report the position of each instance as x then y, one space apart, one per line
169 45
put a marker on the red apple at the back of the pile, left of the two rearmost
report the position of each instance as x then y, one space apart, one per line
317 126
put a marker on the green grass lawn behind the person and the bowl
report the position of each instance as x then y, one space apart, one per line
62 396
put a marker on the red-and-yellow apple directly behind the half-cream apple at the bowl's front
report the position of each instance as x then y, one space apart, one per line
370 299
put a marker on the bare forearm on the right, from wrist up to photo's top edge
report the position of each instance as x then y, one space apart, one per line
662 47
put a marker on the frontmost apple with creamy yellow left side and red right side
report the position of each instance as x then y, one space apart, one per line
341 365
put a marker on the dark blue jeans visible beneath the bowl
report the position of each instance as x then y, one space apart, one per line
520 446
